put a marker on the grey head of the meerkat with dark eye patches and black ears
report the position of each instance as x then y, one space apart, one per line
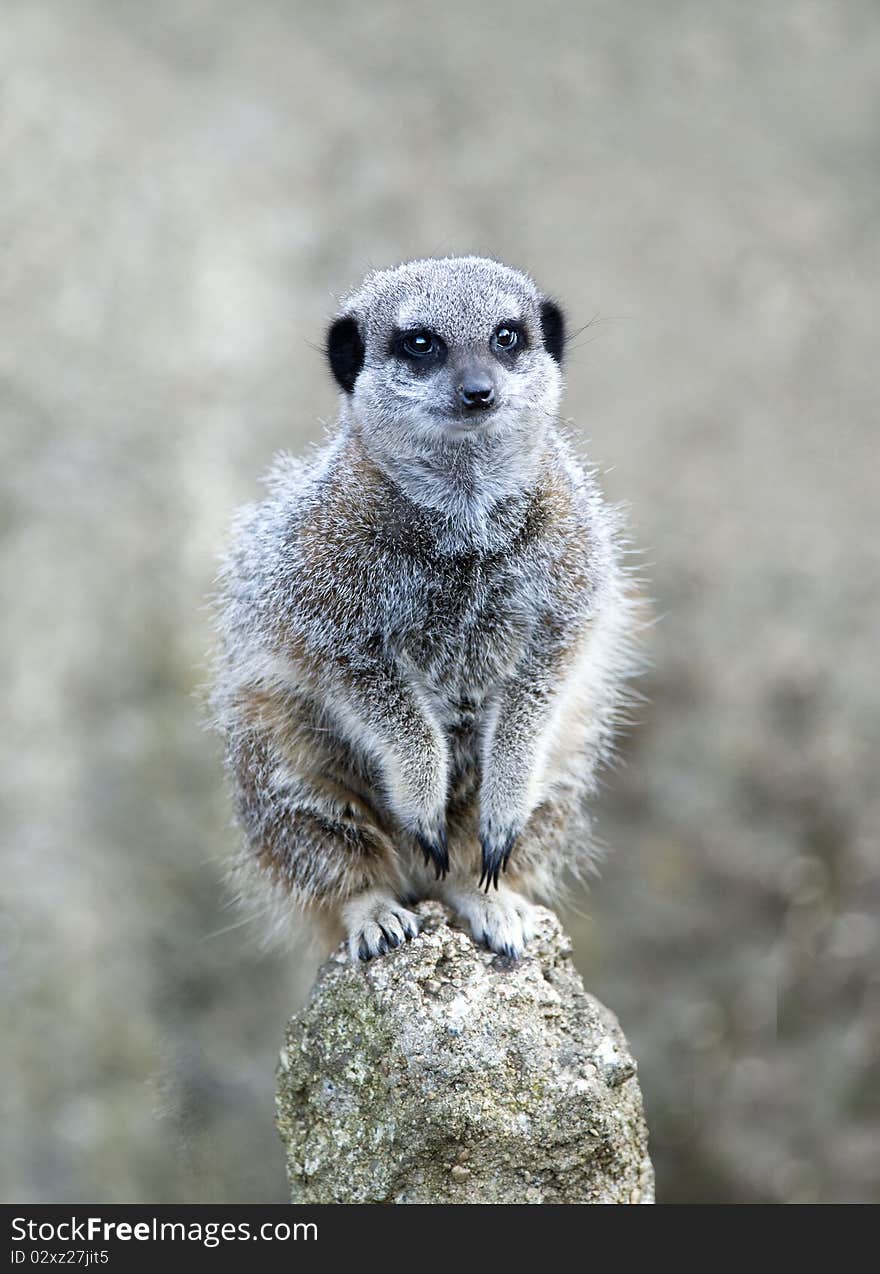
441 352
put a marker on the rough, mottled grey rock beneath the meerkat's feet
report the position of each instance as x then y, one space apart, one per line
441 1073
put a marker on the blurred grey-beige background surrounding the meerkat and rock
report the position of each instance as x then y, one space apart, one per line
187 190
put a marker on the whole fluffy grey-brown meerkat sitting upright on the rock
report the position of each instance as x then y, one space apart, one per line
426 627
